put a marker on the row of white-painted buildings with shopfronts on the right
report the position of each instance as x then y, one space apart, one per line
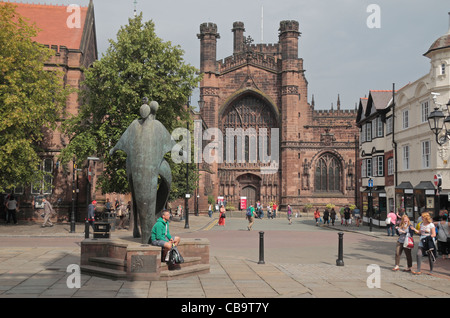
416 157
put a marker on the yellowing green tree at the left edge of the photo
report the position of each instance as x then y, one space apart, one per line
32 99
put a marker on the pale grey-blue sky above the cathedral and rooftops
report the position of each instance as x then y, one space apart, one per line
341 53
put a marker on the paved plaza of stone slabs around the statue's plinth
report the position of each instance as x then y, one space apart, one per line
299 261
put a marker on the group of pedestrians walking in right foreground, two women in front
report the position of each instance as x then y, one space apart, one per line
428 232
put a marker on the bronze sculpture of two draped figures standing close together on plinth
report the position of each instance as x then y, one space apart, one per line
145 142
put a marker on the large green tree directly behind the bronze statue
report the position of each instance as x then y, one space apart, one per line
138 64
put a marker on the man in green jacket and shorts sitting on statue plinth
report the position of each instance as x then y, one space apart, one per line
161 235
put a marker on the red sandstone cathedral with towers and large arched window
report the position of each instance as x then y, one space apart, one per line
263 86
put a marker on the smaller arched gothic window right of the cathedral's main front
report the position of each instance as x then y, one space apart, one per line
328 174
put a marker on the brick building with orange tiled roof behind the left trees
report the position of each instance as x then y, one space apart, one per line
70 32
